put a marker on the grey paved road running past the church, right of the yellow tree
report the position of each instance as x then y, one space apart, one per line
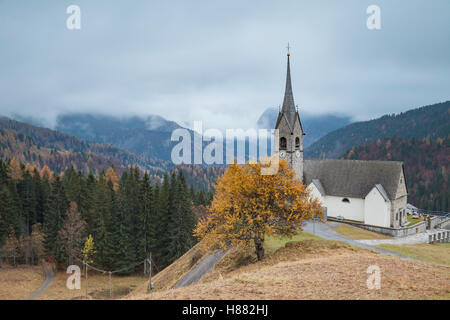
326 231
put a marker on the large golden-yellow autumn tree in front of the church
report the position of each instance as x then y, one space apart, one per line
249 206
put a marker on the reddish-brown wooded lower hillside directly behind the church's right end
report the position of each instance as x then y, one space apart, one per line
426 163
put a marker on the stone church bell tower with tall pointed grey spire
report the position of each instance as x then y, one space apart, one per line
290 128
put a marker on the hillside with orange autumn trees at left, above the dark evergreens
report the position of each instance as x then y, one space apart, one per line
41 146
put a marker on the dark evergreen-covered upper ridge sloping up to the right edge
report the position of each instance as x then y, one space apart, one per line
431 121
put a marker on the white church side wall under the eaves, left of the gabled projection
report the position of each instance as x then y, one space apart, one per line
352 211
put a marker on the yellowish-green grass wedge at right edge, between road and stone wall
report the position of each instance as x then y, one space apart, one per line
435 253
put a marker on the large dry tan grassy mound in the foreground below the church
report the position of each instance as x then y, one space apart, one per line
321 270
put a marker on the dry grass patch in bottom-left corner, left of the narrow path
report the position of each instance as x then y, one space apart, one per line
20 282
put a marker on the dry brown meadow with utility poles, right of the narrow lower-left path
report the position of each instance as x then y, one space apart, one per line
98 287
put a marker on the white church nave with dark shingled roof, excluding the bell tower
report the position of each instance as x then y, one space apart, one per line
371 192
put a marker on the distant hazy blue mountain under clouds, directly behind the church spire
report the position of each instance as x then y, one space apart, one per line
315 126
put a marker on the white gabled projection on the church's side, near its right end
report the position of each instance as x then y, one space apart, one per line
377 210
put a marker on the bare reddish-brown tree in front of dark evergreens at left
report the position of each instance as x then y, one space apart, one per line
70 237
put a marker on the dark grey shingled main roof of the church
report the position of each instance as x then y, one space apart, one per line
353 178
